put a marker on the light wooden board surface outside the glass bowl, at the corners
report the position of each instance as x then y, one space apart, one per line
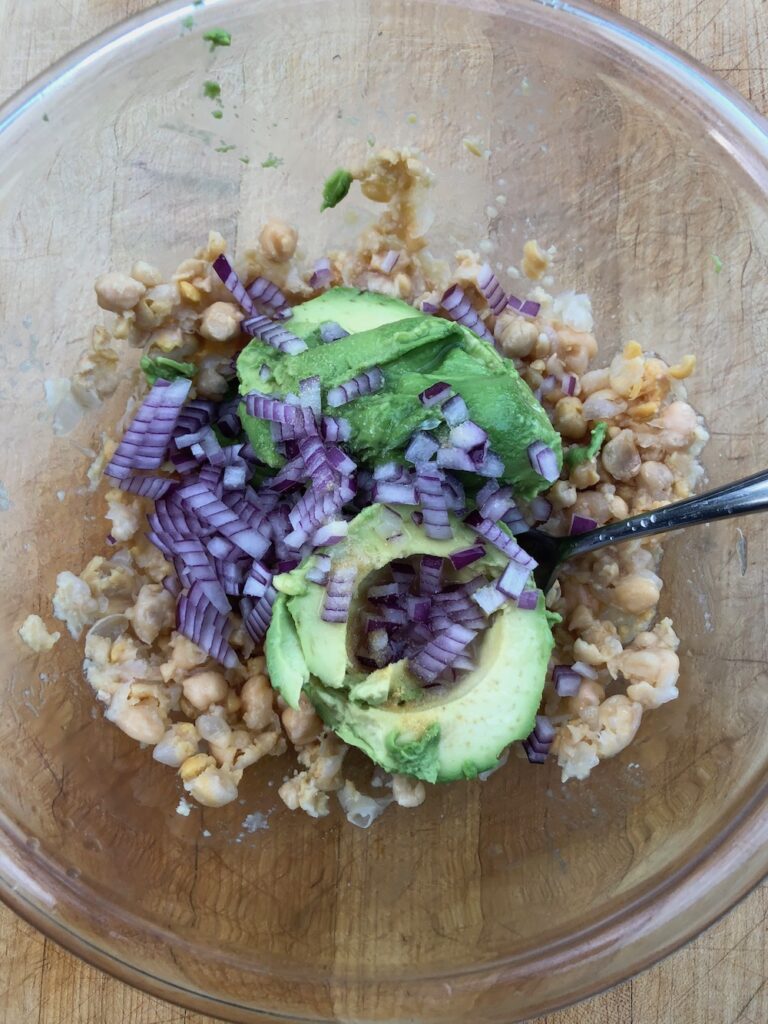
722 978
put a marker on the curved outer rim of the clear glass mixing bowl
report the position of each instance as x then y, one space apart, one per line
738 857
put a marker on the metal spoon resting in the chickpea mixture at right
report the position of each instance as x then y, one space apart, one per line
742 498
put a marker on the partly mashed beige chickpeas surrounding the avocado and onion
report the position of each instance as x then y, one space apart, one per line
212 724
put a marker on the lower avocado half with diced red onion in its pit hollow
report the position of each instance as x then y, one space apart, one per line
439 735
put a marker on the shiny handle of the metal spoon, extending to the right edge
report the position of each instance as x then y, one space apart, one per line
742 498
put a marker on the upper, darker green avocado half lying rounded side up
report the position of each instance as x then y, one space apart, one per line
414 351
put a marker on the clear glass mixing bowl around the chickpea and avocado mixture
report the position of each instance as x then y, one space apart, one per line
496 901
